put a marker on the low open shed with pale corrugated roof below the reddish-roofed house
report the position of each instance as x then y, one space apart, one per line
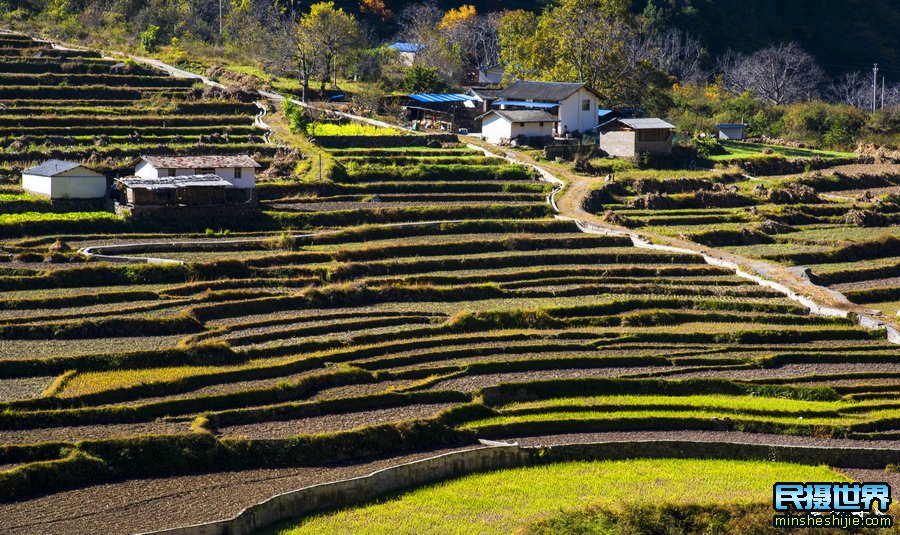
186 190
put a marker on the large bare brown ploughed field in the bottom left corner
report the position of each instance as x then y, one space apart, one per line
151 504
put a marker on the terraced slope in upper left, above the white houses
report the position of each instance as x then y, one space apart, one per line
77 105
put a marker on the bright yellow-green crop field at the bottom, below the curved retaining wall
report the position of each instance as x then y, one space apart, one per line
507 501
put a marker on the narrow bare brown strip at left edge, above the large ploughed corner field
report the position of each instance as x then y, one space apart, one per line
90 432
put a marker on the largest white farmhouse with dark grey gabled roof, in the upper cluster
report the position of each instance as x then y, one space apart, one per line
576 104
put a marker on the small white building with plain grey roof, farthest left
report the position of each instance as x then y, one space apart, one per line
57 179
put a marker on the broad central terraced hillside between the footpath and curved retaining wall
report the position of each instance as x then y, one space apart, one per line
434 300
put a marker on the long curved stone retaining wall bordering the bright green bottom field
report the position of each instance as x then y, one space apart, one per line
498 455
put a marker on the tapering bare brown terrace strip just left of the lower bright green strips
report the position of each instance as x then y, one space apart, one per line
333 422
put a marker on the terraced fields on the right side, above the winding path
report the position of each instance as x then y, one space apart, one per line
841 223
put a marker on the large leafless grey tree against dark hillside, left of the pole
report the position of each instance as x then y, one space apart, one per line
781 74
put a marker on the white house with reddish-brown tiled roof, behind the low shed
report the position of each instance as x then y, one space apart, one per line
239 170
